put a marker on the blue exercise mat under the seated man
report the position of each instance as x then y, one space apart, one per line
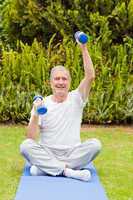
59 188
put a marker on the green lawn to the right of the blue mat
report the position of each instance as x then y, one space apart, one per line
115 163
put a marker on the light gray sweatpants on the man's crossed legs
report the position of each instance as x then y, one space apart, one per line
53 160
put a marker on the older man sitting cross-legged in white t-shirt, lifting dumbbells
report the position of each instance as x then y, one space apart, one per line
59 150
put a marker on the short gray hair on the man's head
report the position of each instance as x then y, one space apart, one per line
59 68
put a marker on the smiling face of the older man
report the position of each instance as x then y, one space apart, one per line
60 83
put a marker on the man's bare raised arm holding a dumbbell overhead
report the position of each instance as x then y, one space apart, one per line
89 73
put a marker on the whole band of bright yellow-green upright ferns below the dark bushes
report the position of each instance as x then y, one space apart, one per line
25 72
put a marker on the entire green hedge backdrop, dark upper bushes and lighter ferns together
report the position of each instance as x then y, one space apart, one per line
25 66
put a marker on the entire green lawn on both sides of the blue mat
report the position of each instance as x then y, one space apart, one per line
114 164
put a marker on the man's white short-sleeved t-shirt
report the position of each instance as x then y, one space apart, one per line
60 126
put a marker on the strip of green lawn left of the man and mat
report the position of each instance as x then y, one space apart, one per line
11 163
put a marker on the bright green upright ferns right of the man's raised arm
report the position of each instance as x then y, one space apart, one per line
112 93
